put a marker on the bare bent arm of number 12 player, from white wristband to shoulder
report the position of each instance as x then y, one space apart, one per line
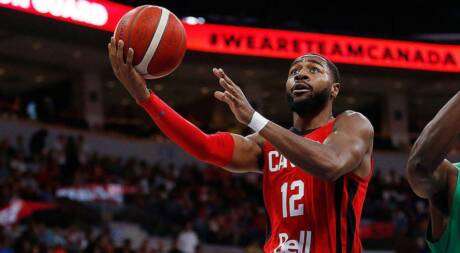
342 152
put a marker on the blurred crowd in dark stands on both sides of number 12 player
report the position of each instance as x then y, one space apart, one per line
207 204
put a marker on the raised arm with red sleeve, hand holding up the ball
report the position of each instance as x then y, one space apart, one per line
232 152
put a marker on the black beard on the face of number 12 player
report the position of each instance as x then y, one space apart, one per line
310 105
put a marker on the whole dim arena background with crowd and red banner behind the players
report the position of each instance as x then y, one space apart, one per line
84 168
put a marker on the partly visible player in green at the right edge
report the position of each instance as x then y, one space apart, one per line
434 178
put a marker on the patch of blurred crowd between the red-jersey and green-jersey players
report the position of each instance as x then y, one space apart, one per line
390 199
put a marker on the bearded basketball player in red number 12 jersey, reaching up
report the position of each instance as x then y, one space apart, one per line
315 175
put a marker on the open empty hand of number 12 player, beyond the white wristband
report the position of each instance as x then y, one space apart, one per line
233 97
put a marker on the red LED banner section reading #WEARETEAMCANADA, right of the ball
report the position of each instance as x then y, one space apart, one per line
341 49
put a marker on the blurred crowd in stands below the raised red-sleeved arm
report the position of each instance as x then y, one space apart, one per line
222 209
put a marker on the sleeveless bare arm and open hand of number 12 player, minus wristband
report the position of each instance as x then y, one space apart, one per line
342 152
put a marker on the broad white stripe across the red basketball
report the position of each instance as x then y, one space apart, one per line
154 43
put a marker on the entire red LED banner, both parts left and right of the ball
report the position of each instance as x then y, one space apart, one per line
236 40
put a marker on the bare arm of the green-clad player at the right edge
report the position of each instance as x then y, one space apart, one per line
427 169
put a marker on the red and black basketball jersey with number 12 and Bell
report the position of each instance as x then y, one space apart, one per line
307 214
